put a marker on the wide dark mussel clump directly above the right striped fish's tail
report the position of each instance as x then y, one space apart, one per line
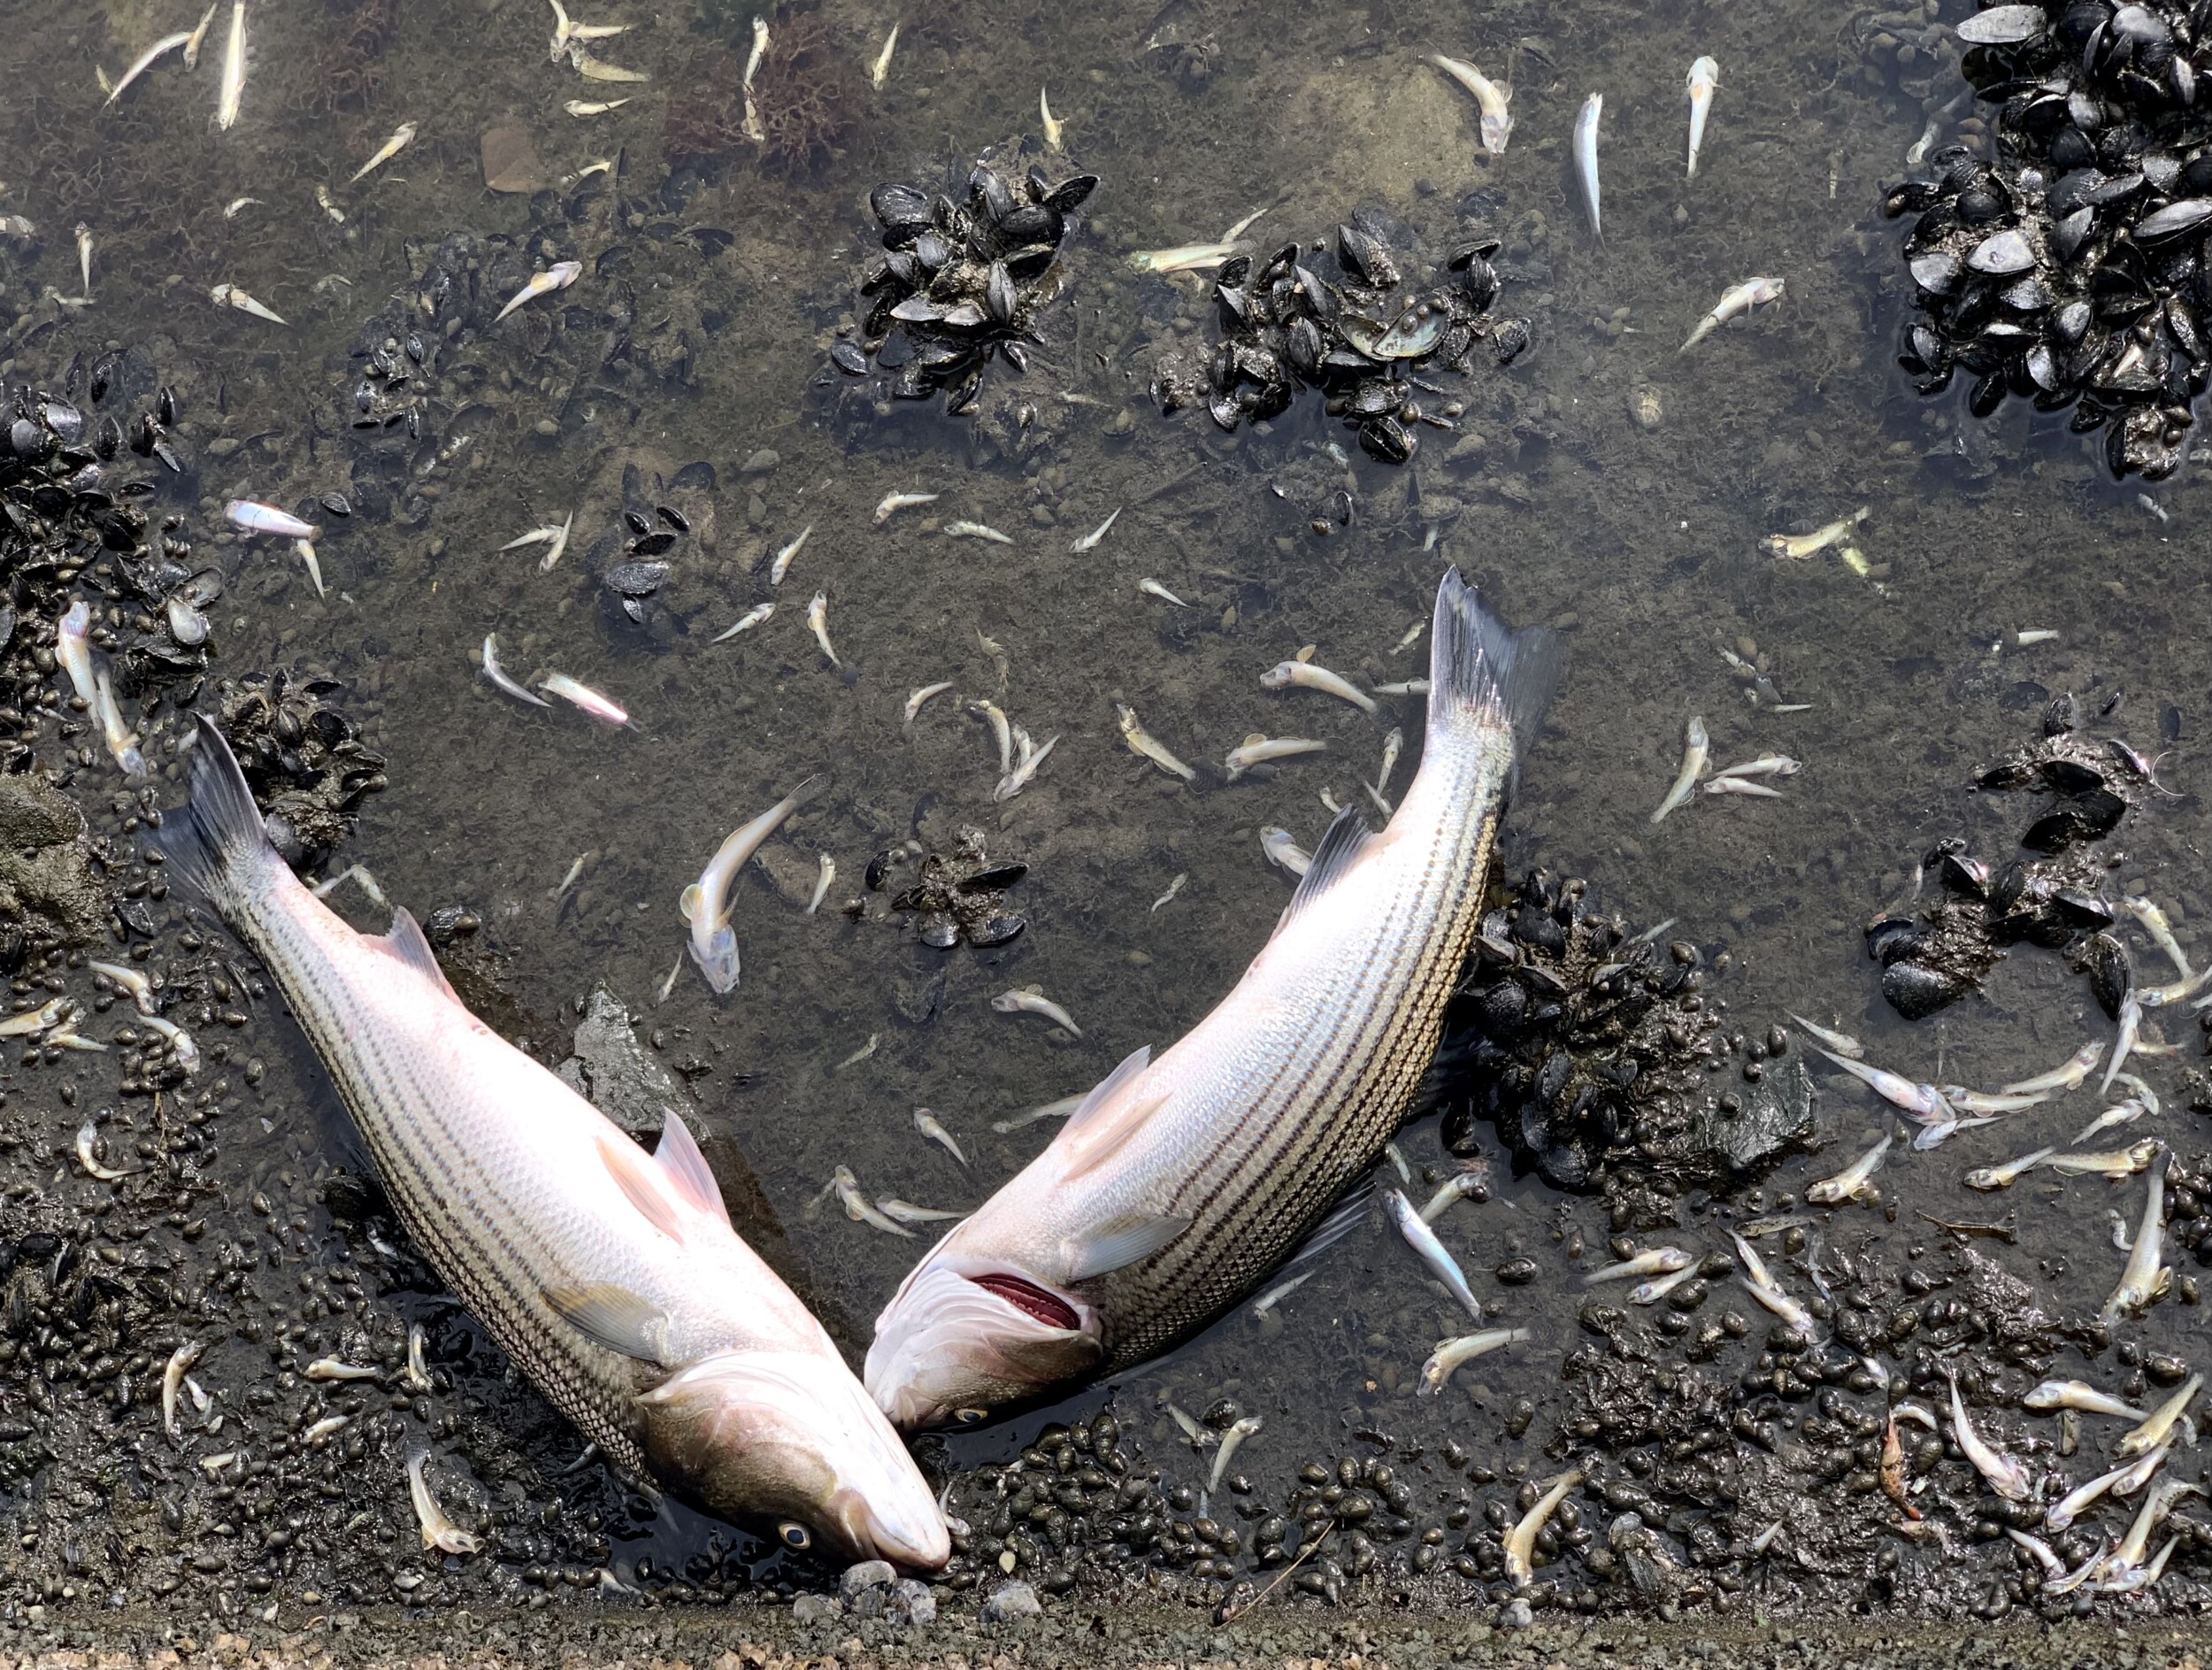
1353 326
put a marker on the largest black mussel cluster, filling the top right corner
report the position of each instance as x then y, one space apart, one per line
2072 271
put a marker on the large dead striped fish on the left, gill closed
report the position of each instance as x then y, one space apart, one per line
609 1275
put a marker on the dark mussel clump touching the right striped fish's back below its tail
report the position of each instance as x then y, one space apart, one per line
1592 1054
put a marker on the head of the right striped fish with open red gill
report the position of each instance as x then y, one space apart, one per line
966 1337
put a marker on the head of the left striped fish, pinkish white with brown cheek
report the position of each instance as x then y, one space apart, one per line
791 1434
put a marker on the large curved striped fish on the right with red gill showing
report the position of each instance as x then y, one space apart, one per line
1182 1182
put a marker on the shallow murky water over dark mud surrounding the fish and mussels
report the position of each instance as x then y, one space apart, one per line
1631 530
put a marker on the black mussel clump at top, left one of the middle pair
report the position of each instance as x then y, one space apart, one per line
959 282
